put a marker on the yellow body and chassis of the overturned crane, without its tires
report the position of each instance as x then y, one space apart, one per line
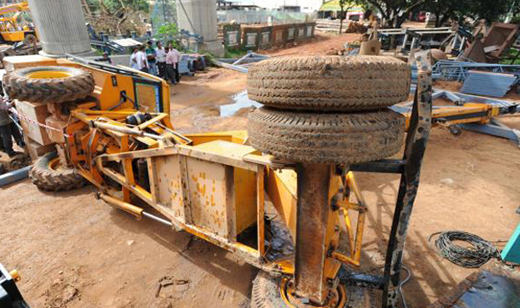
105 150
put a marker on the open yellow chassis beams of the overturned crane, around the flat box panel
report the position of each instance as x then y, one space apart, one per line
214 148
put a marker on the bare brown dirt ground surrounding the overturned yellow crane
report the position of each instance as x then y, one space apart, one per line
75 251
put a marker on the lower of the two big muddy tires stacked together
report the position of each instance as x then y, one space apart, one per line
326 138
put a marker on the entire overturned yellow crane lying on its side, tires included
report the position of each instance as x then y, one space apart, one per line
288 179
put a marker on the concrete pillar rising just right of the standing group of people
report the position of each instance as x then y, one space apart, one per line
200 17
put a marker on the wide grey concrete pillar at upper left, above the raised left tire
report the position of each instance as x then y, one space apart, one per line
61 26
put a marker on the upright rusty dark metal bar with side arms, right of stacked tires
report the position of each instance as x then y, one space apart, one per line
409 168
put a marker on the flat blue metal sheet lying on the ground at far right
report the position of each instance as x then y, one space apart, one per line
488 83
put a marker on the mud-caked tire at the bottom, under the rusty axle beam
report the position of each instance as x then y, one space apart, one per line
266 294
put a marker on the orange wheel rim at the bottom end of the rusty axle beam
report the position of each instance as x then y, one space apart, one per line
337 297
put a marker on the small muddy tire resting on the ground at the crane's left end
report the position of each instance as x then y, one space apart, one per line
48 176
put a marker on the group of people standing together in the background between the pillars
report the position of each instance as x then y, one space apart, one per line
160 61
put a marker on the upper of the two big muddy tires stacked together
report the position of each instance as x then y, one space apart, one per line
329 83
